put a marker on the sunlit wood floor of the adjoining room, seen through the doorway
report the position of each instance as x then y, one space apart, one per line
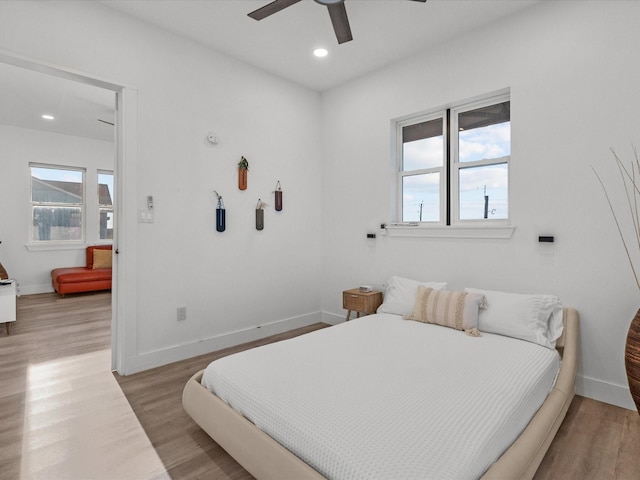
62 414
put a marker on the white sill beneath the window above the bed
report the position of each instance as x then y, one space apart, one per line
457 231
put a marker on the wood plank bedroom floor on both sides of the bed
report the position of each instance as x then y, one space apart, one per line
597 441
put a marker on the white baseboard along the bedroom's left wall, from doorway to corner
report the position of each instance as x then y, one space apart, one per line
147 360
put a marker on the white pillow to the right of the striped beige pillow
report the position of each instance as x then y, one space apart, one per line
534 318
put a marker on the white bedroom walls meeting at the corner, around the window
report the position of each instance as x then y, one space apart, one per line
572 72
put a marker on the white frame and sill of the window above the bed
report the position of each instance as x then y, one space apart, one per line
471 228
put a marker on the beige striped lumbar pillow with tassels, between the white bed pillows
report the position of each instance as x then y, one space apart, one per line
457 310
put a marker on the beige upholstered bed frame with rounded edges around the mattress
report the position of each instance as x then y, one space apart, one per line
265 458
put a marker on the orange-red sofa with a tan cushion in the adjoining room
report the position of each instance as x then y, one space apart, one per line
87 278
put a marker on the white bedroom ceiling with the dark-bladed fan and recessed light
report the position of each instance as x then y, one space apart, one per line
384 31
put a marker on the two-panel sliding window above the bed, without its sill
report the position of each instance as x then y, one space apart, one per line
453 165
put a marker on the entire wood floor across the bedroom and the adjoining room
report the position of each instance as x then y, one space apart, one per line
596 441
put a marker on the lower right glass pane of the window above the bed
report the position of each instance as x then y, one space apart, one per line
484 192
